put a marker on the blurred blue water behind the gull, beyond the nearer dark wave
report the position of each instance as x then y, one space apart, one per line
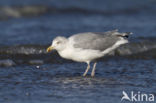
126 15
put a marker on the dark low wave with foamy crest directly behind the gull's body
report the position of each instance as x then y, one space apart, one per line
36 54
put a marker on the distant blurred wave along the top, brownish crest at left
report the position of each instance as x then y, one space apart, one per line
36 10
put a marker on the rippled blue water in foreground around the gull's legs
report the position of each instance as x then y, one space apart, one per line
55 83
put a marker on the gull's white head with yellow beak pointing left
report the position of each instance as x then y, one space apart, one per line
59 44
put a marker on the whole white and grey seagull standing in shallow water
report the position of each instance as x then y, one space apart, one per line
89 46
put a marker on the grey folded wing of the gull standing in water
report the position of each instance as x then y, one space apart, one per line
95 41
